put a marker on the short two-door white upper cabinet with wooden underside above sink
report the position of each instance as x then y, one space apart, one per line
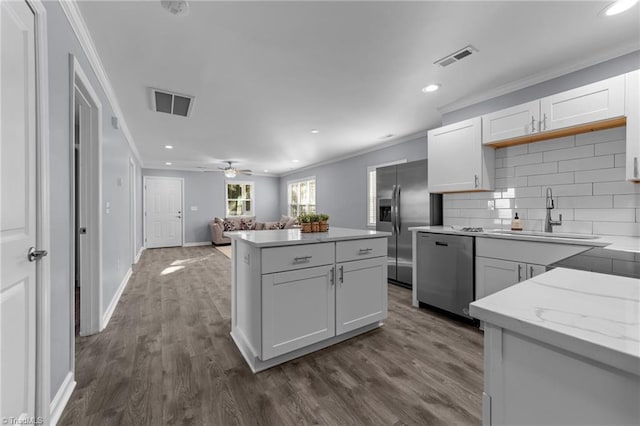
589 105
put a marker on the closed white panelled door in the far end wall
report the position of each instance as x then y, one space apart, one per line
163 212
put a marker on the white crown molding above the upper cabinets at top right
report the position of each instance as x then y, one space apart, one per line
538 78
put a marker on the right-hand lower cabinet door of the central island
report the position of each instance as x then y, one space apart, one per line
361 293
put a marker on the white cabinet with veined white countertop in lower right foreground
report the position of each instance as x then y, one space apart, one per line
562 348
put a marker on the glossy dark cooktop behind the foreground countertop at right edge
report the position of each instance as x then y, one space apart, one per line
612 262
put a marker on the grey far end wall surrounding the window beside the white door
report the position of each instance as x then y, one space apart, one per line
206 191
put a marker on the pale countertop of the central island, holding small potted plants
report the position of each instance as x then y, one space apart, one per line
288 237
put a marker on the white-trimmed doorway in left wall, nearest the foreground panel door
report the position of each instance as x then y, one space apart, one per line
86 128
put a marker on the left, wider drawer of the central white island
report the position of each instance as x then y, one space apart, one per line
278 259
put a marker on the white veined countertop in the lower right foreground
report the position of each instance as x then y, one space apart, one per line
594 315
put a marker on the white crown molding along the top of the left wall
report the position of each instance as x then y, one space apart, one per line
72 12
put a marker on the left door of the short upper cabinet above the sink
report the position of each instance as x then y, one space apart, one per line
520 120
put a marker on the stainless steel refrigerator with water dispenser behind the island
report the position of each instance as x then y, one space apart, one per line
403 201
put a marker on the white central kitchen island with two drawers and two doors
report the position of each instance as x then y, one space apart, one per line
295 293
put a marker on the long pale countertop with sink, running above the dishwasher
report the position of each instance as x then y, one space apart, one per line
613 242
